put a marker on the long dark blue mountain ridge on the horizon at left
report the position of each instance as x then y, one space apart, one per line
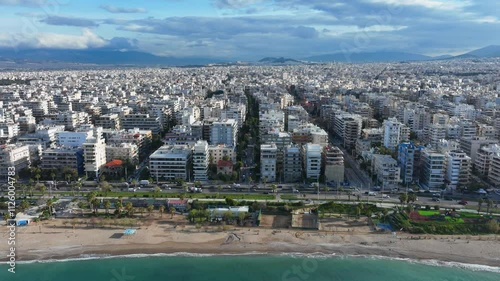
99 56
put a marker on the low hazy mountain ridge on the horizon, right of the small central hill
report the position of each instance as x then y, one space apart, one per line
369 57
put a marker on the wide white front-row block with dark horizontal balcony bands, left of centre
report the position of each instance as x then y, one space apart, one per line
171 162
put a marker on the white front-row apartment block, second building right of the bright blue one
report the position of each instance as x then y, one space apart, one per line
458 169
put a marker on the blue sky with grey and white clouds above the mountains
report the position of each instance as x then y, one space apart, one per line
252 29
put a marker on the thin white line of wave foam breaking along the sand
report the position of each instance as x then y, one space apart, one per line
317 255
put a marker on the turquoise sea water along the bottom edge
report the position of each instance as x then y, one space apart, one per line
236 268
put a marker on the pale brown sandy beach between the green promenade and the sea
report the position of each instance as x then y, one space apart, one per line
54 240
